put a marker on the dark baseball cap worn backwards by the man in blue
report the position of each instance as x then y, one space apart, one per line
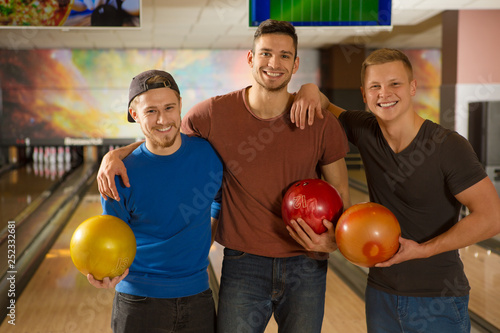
139 85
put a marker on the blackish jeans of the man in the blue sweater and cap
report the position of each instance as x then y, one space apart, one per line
137 314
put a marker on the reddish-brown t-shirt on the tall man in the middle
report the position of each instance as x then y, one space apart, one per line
262 158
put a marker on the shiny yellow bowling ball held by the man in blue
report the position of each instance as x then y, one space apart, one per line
103 245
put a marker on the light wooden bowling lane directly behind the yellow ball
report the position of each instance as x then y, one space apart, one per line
59 298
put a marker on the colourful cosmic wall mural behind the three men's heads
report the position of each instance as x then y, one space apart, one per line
51 95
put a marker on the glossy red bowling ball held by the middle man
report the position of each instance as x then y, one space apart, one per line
312 200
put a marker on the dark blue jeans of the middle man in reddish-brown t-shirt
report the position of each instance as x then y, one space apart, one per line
253 287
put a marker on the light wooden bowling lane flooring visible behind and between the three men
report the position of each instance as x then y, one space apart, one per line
59 299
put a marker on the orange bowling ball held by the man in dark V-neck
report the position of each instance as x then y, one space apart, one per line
367 234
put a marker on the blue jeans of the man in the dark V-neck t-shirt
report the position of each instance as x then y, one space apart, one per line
387 313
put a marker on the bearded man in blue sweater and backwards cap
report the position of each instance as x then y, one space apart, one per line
175 179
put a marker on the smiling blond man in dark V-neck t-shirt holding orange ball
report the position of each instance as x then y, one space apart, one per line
423 173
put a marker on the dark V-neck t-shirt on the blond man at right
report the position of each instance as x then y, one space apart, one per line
418 185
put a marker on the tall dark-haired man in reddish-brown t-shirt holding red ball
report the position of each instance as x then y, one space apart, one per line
264 269
